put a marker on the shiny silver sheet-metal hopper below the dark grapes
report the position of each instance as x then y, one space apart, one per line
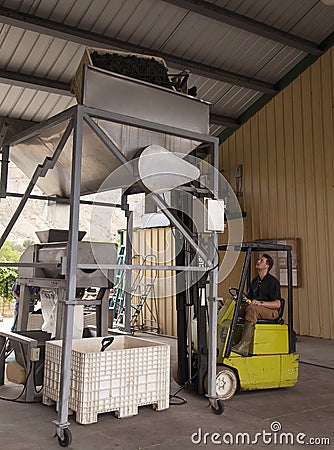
103 90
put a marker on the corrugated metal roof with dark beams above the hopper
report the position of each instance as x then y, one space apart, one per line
239 53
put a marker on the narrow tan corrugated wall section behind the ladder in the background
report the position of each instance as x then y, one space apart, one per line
158 242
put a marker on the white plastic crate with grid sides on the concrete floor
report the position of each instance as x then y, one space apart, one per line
131 372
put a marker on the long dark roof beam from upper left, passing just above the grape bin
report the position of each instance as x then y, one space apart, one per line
84 37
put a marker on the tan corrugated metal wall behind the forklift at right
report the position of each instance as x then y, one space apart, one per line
287 150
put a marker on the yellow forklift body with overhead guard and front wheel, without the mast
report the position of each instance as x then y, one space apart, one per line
272 360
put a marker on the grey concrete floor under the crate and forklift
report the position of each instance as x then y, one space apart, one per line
305 411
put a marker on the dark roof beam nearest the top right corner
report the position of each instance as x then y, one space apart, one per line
234 19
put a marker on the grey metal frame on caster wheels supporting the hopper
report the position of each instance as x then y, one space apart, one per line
77 116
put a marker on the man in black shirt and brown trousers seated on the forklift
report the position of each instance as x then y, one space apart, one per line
265 295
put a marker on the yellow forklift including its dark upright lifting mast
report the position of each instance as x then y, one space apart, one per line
272 361
